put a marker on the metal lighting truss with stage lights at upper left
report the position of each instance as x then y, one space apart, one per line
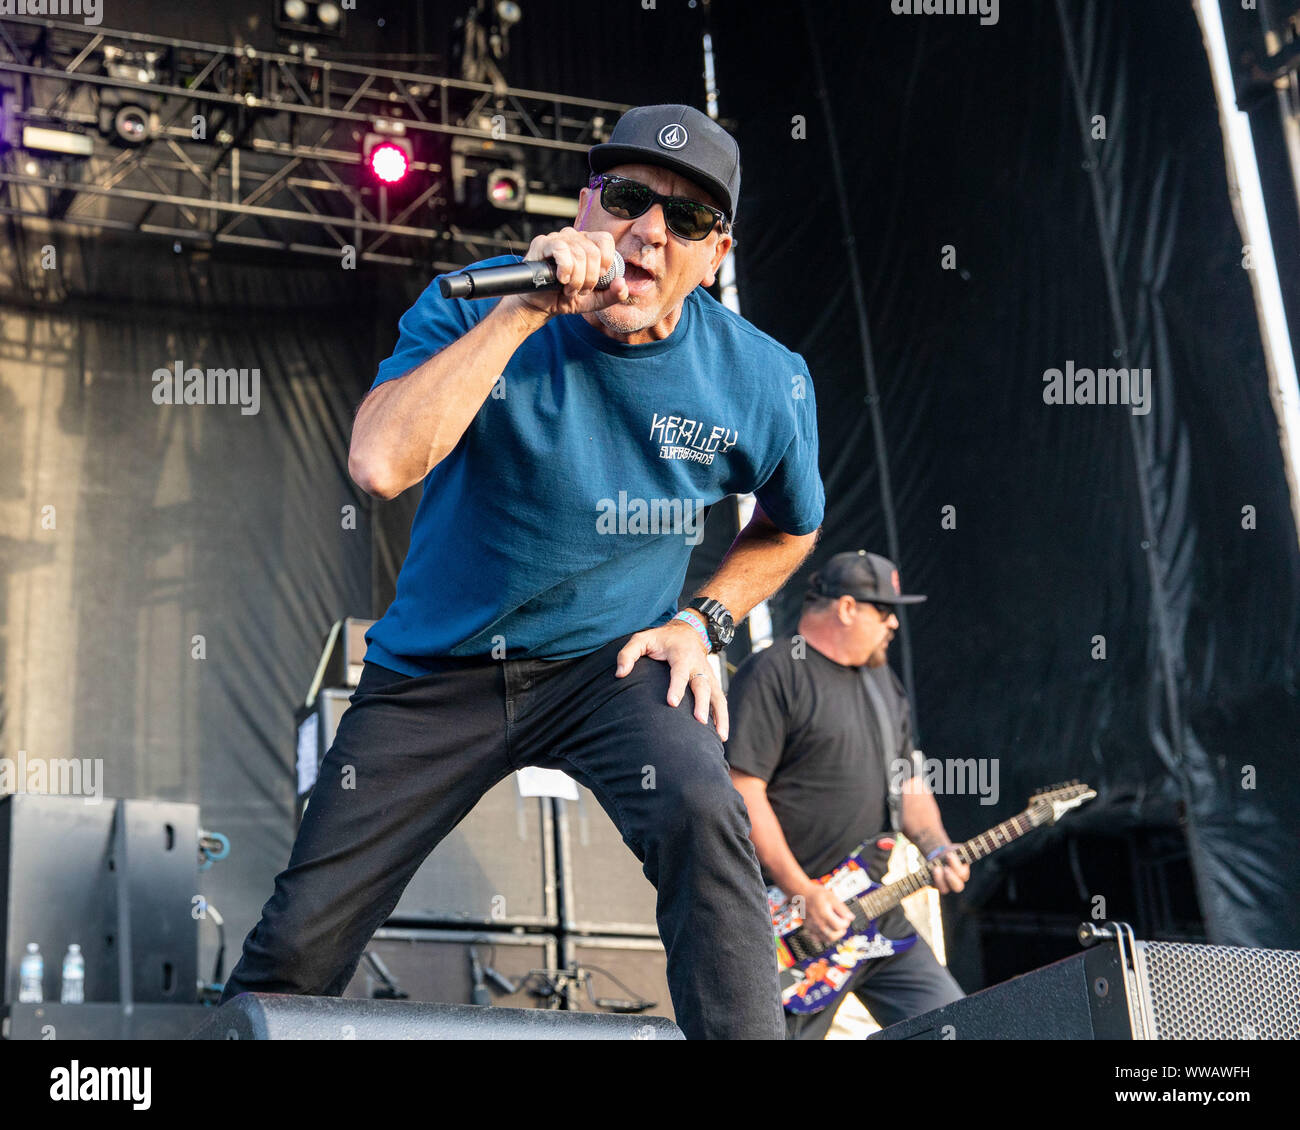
280 163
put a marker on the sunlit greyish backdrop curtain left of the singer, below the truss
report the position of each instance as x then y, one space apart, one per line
171 570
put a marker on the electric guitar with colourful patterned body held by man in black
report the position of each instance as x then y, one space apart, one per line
813 976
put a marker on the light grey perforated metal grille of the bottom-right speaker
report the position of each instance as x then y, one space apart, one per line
1221 993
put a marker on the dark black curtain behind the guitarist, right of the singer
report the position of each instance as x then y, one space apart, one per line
1067 522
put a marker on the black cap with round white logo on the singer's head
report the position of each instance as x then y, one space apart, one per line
678 138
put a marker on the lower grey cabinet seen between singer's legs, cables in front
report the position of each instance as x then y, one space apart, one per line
436 966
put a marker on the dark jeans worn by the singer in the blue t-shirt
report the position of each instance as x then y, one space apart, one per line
411 759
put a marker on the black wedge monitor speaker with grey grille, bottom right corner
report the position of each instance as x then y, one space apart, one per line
1143 992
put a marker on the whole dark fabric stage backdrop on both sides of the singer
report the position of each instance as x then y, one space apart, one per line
1071 522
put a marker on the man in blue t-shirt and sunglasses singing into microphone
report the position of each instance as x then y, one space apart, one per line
565 439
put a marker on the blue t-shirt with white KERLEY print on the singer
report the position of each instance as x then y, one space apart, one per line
566 516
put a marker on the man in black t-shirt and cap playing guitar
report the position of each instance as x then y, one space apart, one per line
816 724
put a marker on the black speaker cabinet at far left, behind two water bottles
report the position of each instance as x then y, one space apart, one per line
62 876
